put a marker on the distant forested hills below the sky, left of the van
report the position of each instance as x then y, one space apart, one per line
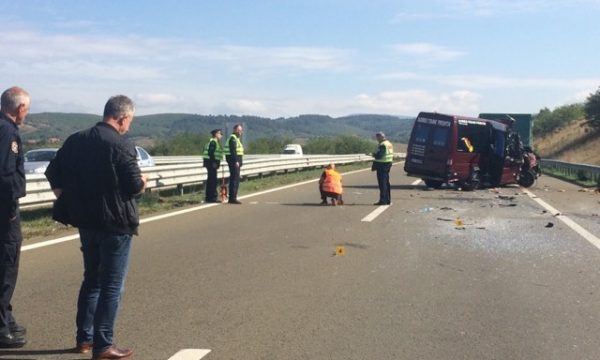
54 126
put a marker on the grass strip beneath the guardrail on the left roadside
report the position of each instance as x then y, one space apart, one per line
38 222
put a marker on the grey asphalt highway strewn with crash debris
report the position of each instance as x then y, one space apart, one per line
263 280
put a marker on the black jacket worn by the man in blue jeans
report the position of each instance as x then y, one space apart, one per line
98 173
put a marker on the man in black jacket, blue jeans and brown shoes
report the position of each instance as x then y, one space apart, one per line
96 179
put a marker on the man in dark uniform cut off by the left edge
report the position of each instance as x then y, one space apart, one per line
14 106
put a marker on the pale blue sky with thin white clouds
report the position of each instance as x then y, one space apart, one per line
290 57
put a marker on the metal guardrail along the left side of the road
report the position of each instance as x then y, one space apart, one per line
179 171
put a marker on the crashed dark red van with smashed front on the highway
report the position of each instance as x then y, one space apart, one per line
468 152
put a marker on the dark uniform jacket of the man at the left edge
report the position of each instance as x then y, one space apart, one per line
12 173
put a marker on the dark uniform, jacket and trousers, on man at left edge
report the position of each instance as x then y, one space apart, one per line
12 187
